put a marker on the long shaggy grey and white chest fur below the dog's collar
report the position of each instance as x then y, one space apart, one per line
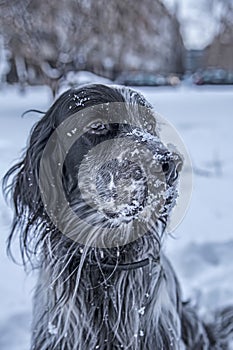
133 309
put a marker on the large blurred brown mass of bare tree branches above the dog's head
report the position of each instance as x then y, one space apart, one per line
48 39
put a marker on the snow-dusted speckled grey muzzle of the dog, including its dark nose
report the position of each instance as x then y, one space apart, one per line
141 174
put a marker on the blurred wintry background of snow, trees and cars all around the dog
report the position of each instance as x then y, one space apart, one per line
179 54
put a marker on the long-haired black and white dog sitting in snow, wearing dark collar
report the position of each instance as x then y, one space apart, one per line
92 197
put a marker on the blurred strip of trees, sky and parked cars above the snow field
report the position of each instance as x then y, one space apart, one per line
153 42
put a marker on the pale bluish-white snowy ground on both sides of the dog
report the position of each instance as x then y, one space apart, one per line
202 249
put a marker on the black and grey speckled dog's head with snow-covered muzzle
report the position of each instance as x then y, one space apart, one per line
95 170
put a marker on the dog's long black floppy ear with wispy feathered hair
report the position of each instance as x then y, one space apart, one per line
20 183
